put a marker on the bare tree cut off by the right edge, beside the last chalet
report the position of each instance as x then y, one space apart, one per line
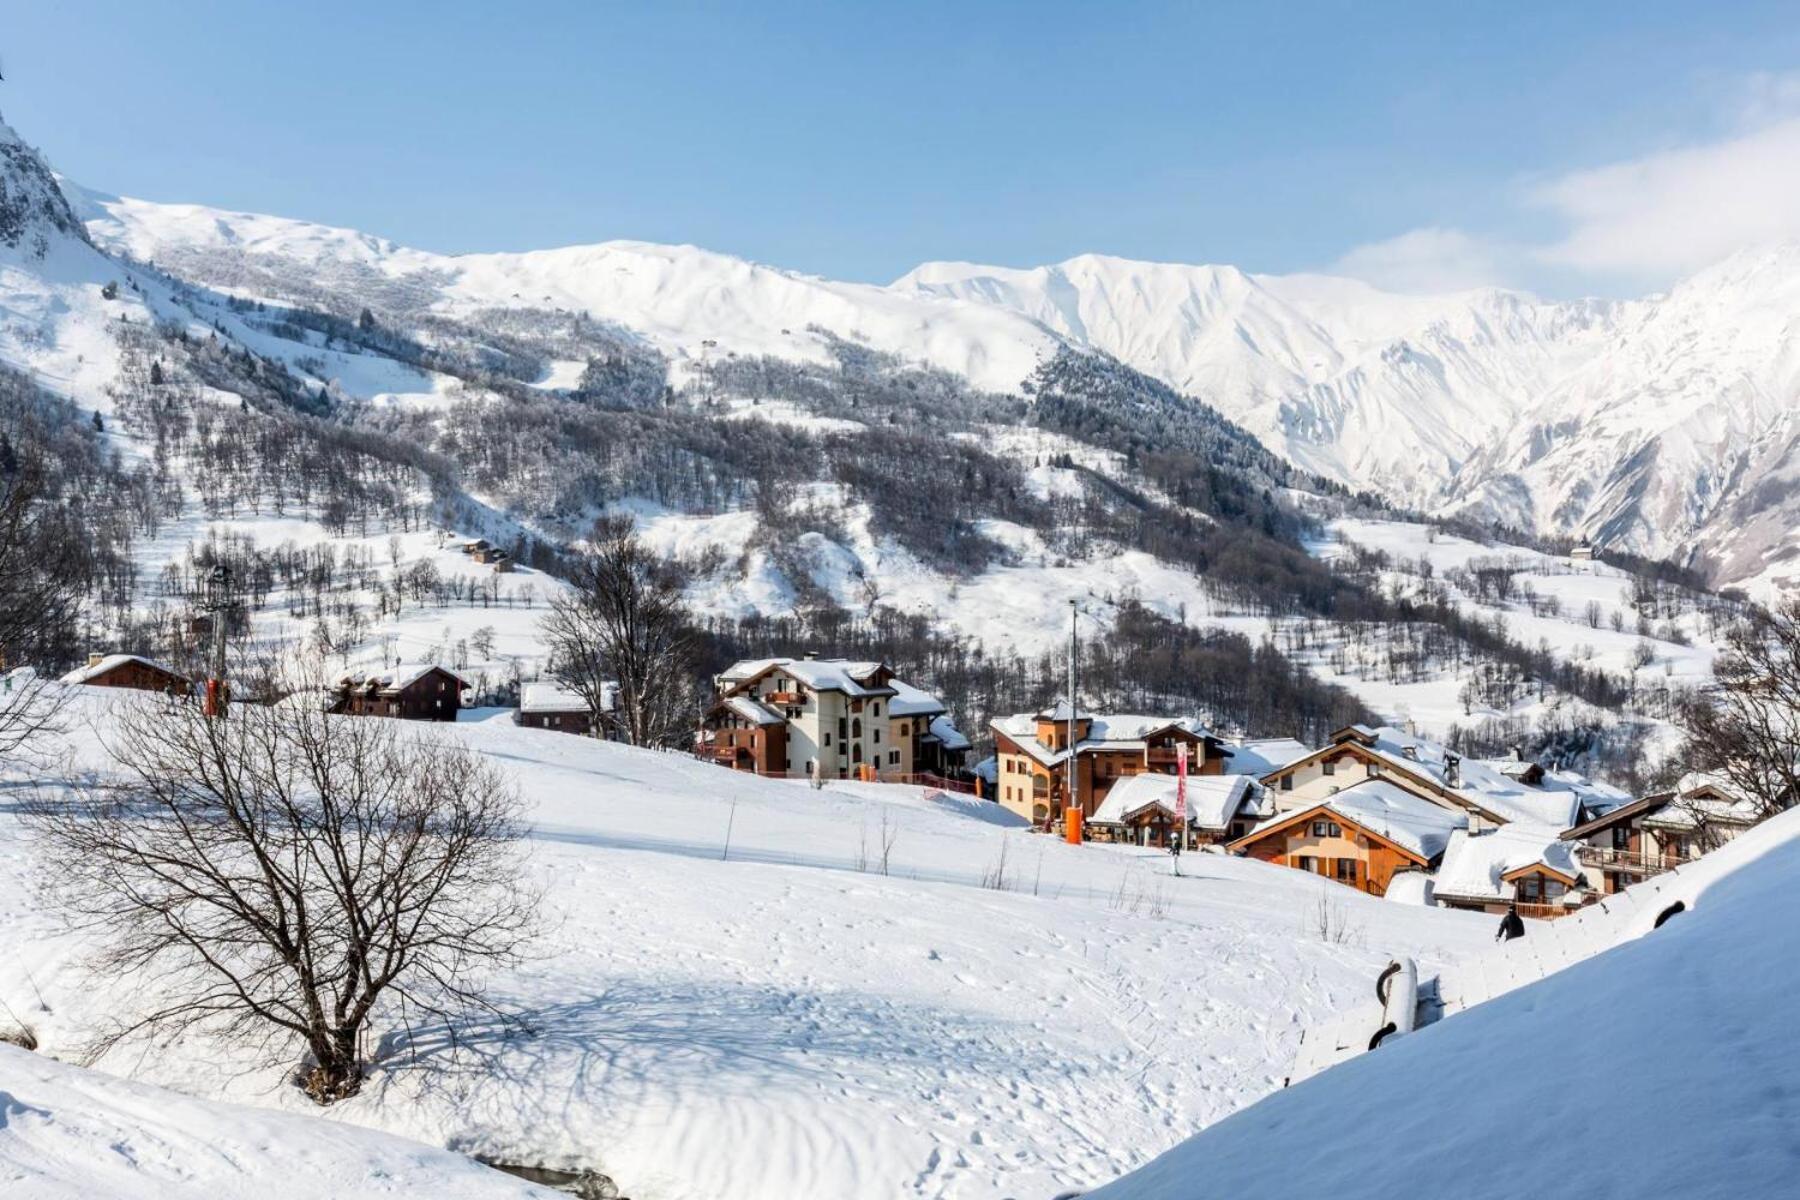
1745 730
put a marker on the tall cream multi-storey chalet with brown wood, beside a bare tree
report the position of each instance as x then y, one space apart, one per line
831 719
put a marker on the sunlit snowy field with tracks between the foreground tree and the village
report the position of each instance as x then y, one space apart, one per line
739 1001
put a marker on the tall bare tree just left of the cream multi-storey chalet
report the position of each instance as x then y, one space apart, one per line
624 623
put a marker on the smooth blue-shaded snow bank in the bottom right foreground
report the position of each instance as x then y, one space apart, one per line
1660 1070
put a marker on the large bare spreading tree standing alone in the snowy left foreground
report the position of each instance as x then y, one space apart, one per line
292 879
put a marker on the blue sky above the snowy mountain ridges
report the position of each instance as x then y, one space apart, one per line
858 141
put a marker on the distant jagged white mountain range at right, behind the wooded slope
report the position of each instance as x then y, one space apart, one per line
1664 427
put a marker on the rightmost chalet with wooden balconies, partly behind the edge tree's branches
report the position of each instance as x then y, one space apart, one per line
1657 834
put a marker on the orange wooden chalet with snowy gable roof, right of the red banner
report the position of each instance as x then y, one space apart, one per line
1362 836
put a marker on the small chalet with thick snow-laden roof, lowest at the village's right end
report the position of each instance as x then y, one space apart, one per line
1525 866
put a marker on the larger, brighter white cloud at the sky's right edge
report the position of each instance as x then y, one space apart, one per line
1675 211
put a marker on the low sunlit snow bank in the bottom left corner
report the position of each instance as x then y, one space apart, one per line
80 1134
